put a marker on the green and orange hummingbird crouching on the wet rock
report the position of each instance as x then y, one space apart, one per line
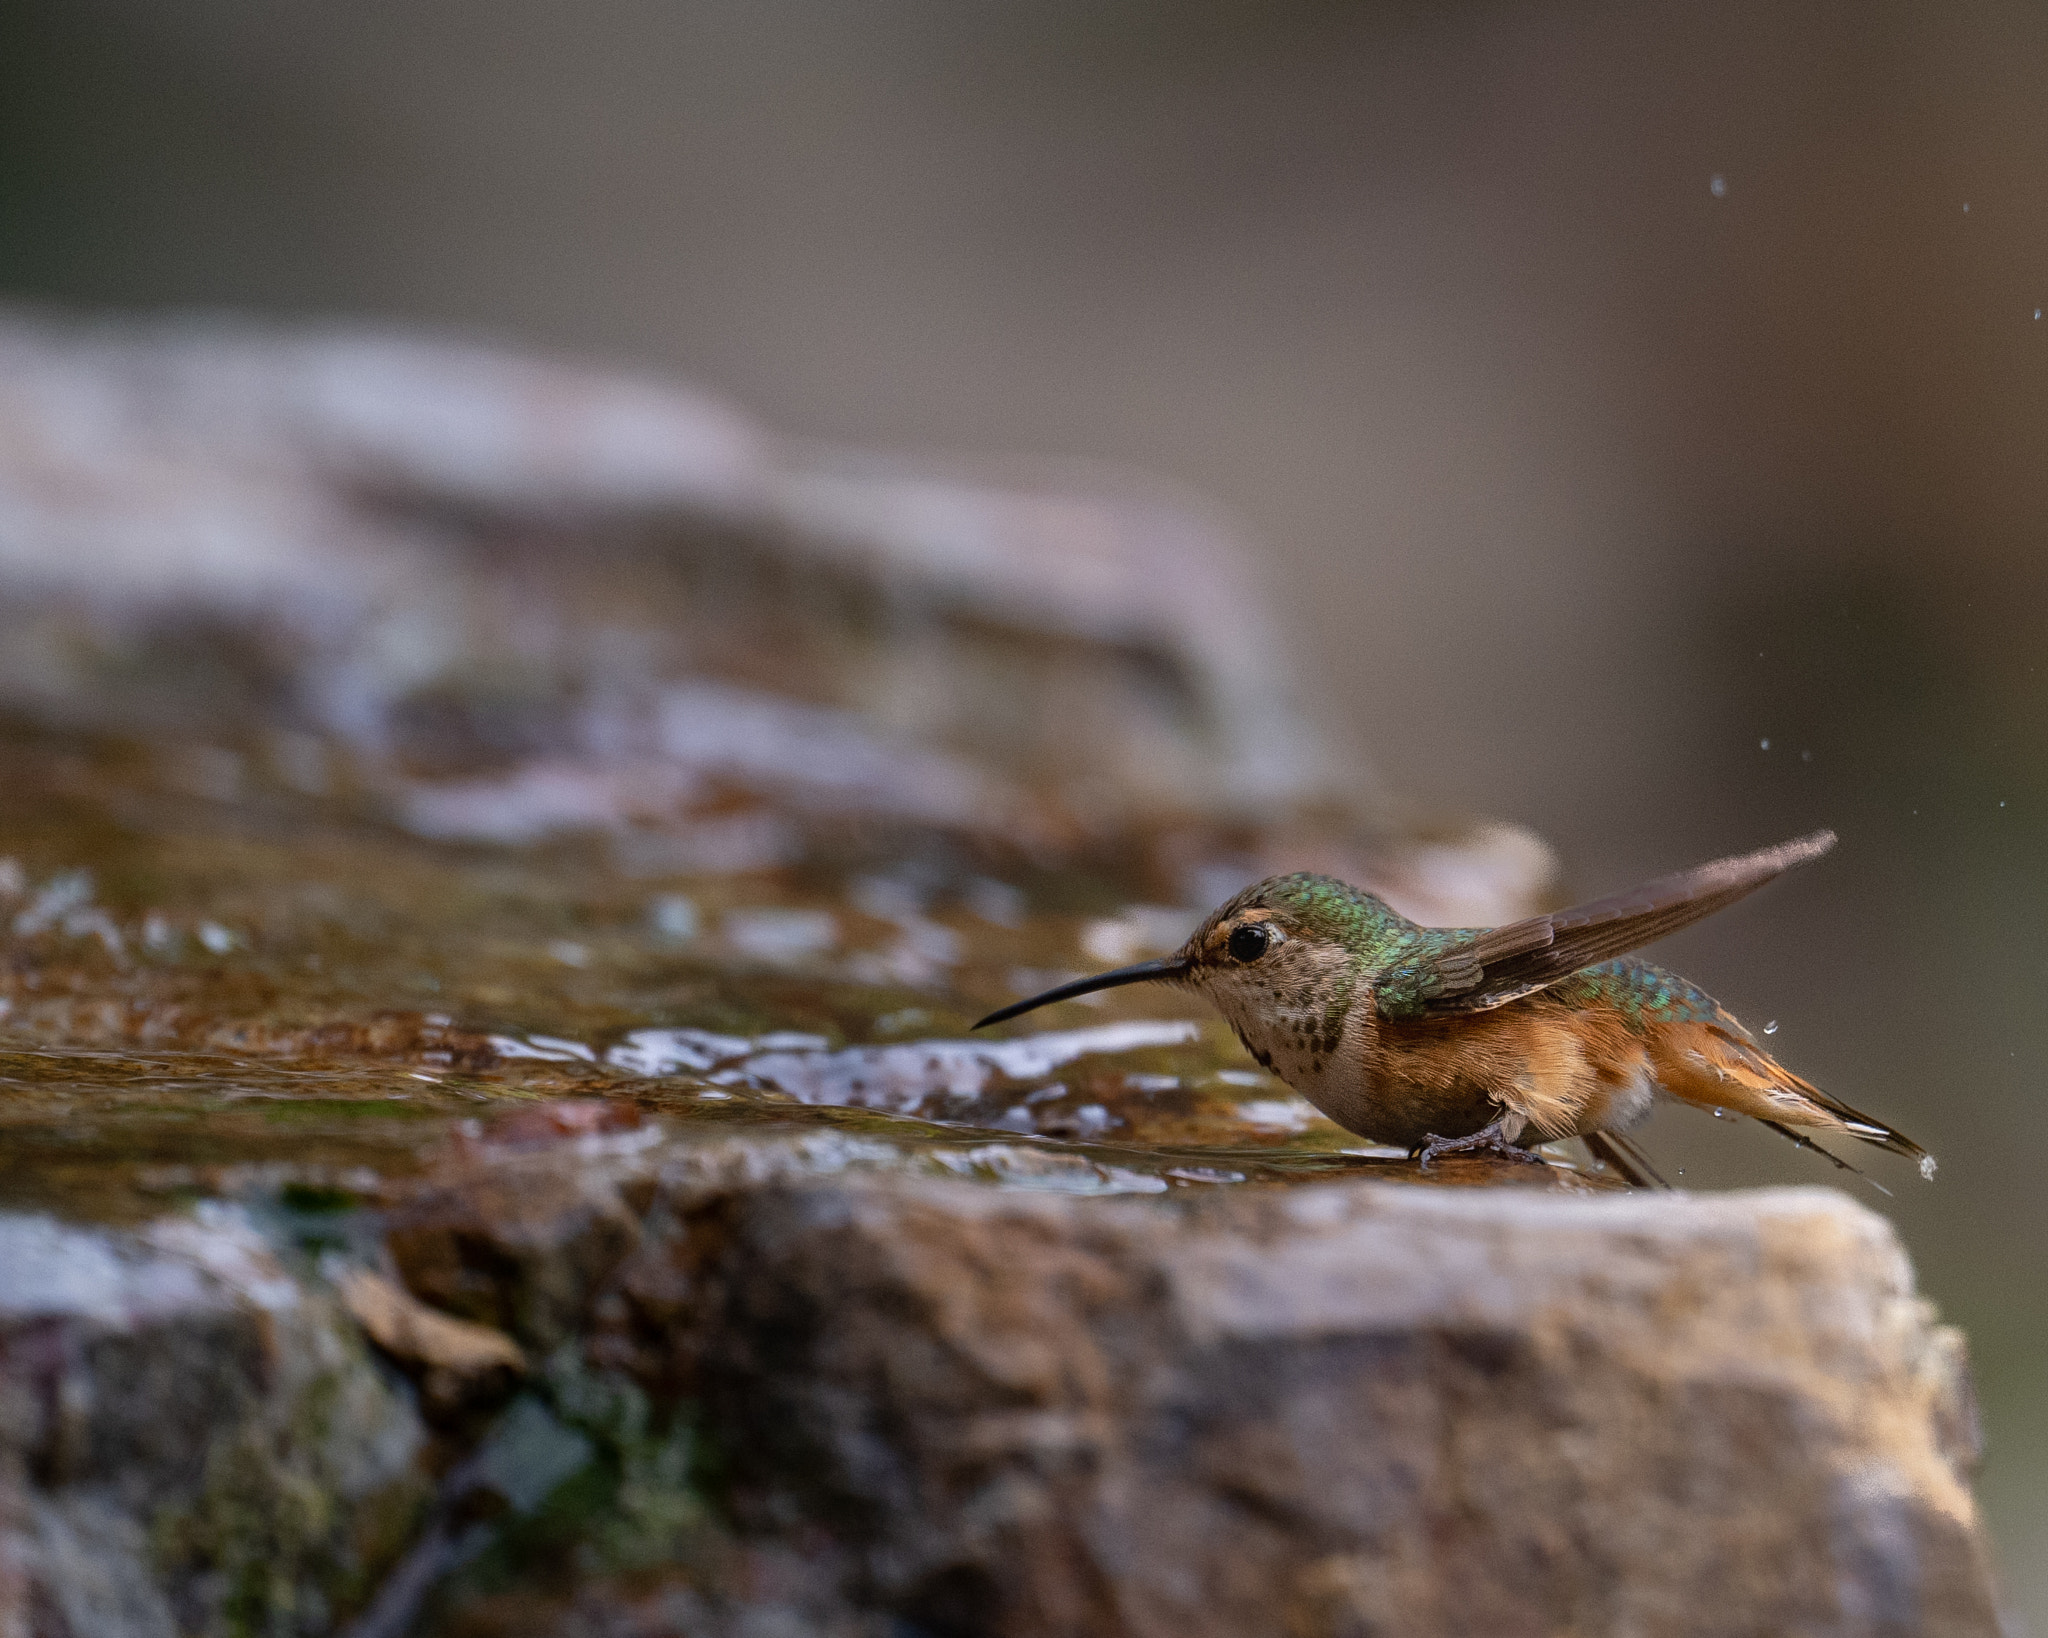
1449 1041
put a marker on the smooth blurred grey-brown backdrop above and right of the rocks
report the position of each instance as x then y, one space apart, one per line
1641 411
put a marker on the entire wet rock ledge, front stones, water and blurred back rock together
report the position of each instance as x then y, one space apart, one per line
499 863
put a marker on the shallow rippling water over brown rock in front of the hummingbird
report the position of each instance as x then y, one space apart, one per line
259 992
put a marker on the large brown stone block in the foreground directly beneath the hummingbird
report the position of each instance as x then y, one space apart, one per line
1336 1410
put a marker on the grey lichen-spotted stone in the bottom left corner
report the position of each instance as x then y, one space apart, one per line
191 1442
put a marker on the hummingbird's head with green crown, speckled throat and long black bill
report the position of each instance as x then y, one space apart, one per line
1279 949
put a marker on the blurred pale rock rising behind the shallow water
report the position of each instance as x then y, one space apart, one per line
521 599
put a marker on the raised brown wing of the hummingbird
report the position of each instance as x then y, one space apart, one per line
1496 965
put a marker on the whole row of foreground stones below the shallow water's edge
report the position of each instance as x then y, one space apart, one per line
783 1385
